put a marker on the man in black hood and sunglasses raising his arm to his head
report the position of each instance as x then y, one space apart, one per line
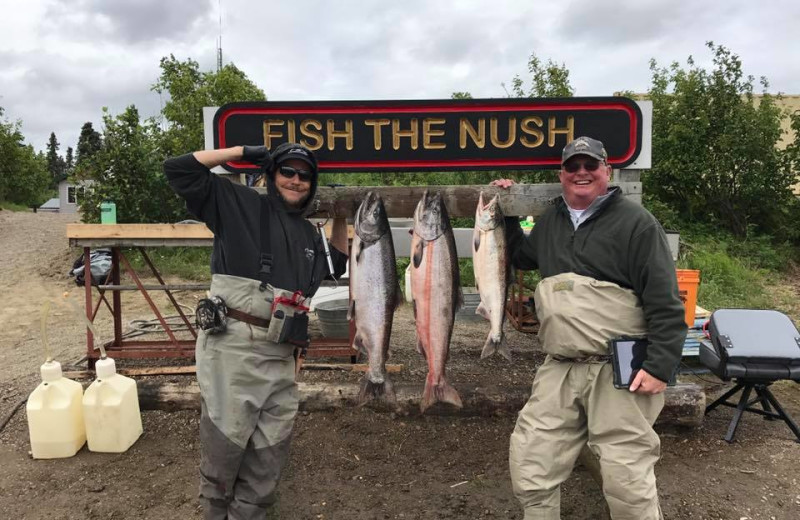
264 249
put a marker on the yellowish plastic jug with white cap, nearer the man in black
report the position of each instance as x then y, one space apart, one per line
111 410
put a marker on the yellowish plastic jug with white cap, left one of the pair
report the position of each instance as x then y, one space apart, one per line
55 415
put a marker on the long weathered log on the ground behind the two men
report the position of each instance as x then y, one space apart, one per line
684 406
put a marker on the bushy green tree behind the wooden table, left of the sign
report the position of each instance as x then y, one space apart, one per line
127 170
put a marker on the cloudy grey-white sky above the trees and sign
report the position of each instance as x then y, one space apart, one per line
61 61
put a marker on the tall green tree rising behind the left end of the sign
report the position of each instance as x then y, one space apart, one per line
189 90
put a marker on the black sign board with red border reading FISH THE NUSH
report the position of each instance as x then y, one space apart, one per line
439 135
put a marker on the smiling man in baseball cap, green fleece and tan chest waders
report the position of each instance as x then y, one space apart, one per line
607 273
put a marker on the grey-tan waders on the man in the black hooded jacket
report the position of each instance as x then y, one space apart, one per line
249 402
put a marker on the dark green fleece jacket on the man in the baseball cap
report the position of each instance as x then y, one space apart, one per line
622 243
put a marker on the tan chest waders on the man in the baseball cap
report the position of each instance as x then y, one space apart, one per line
574 402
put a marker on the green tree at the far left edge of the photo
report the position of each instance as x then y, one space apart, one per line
24 177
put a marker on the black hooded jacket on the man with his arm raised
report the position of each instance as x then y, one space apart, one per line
233 213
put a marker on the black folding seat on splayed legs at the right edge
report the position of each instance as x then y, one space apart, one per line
754 348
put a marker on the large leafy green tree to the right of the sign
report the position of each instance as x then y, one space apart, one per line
714 150
